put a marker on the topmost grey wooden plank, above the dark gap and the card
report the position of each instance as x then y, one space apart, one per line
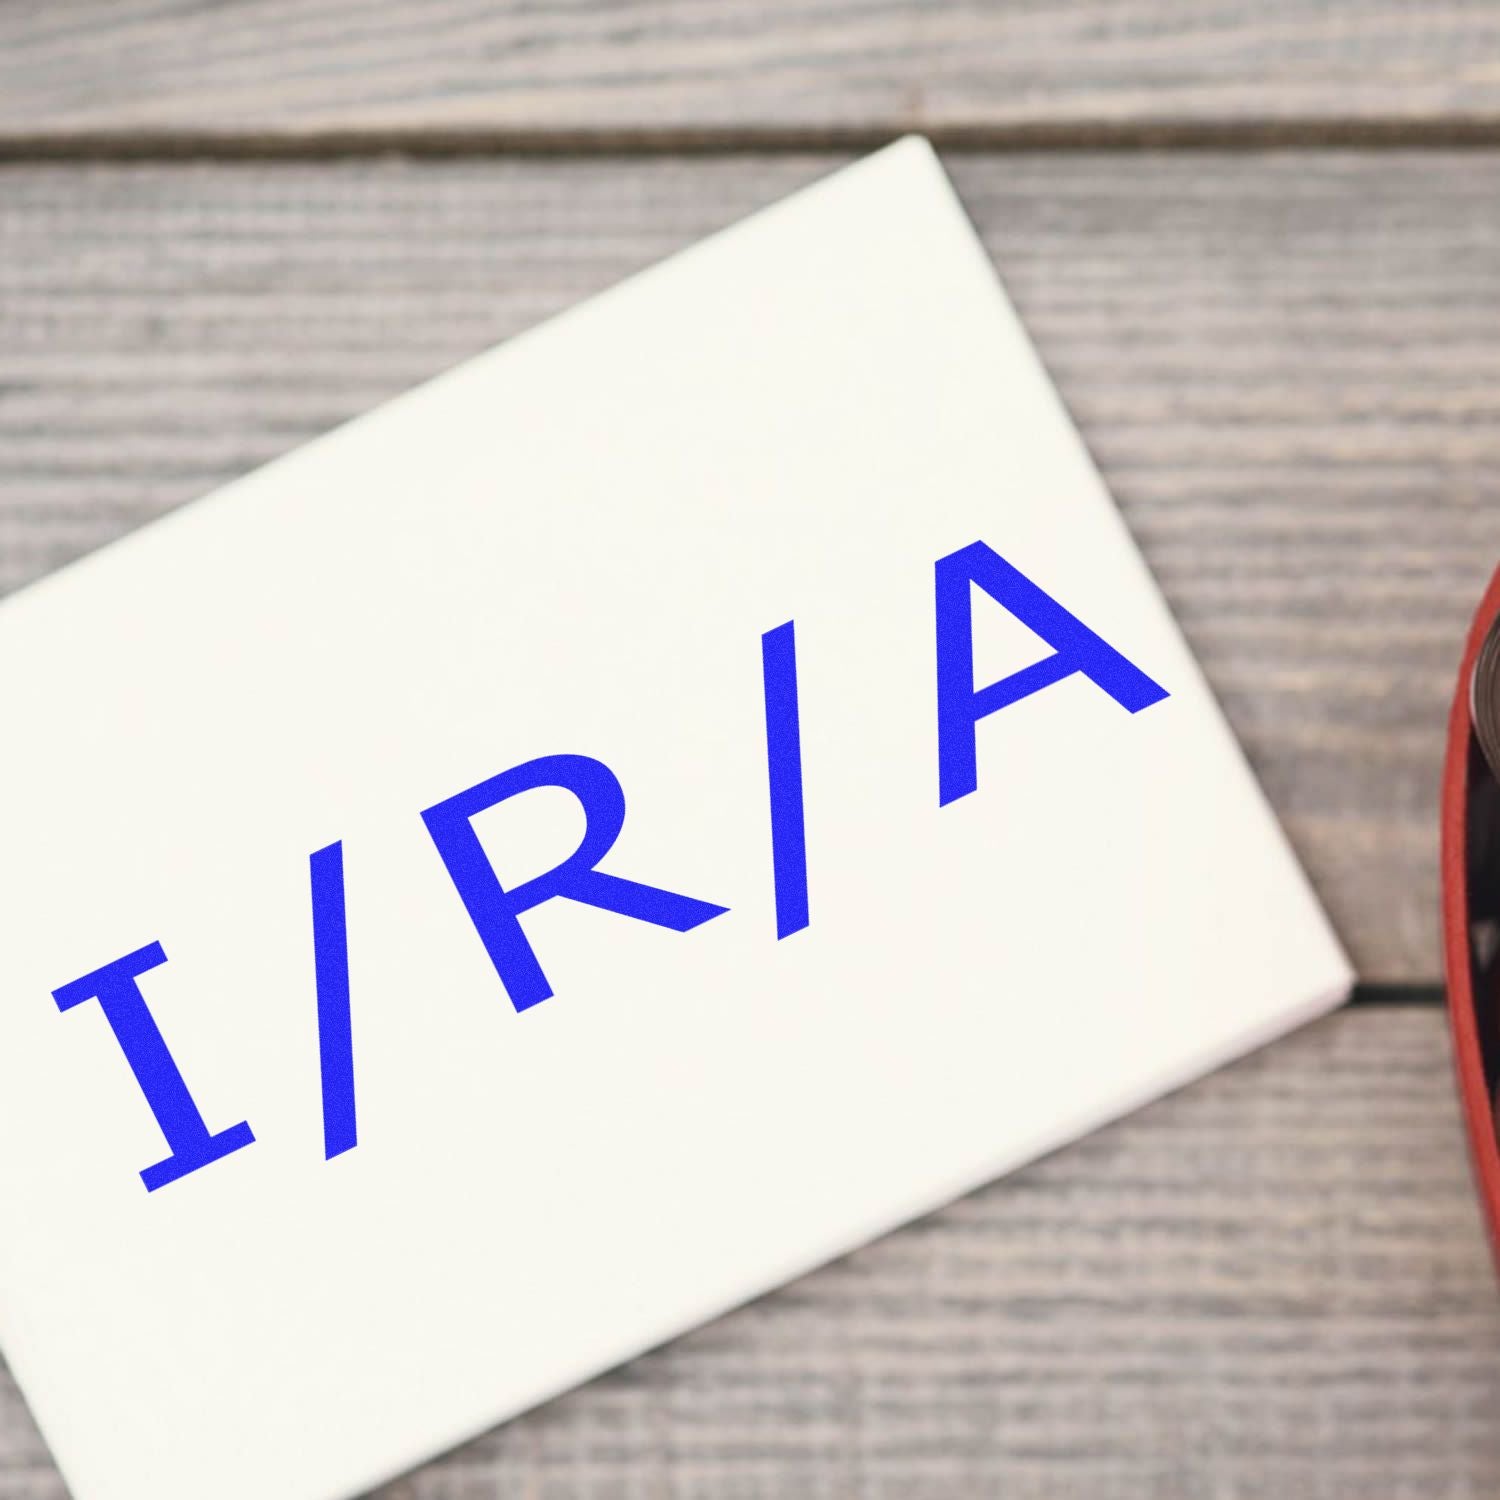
688 70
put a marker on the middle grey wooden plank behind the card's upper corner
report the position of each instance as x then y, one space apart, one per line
1289 368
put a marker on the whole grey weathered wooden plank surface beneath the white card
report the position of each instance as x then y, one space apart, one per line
1288 364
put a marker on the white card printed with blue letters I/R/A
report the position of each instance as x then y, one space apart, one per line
575 556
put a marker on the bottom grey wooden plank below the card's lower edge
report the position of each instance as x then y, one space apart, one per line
1271 1286
